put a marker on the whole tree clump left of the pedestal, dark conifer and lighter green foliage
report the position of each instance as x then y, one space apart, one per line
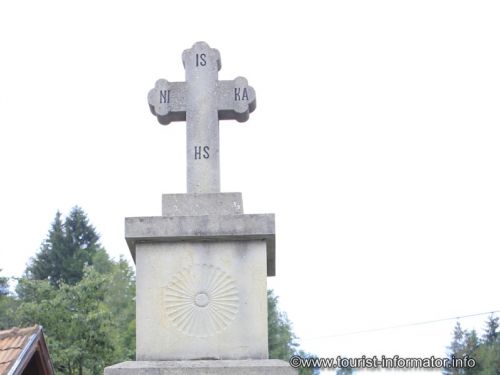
84 300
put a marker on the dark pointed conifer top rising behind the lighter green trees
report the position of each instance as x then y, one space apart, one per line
68 247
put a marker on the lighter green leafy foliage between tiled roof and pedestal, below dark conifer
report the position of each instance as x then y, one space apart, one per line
88 324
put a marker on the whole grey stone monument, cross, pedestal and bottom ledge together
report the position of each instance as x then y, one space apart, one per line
202 266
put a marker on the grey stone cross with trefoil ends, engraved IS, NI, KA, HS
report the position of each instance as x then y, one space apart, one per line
202 101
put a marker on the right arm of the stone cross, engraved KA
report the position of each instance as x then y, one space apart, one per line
235 99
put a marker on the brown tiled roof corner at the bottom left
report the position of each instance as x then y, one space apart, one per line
19 347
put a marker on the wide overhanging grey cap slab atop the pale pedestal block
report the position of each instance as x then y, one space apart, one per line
203 228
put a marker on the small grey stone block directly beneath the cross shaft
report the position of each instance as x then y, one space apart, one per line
202 204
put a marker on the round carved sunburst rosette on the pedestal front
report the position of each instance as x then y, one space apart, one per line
201 300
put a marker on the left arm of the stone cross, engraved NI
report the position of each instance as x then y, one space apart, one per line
167 101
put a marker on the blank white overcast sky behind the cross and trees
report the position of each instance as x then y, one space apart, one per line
375 142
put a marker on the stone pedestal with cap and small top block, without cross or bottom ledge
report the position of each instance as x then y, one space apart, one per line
201 279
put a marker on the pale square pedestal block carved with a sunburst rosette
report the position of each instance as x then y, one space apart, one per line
201 300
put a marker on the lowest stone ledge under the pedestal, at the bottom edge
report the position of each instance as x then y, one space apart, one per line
222 367
